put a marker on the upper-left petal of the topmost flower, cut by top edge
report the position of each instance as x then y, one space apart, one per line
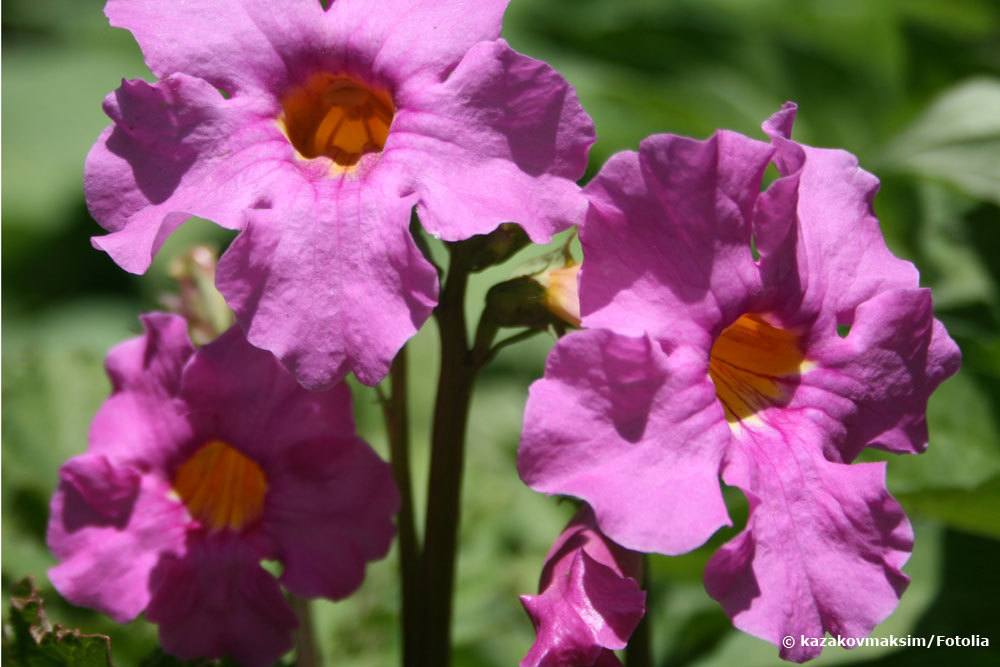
234 44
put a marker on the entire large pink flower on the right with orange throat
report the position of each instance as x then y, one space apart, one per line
702 359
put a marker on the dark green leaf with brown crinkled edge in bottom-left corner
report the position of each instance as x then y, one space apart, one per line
29 640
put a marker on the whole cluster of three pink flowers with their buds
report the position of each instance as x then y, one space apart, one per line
764 337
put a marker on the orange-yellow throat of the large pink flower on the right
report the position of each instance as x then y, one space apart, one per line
750 364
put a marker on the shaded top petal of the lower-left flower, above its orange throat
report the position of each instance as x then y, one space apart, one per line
242 394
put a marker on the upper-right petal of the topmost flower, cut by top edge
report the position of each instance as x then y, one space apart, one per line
424 39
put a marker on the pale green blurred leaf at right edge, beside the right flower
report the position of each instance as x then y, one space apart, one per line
956 140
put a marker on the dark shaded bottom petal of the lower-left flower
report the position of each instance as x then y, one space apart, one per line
218 601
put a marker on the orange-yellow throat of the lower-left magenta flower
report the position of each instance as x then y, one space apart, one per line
221 487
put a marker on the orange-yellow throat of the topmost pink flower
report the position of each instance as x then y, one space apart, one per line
337 117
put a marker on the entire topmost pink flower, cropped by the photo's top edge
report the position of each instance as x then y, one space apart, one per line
315 132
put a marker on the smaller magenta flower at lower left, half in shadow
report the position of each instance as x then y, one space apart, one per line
200 464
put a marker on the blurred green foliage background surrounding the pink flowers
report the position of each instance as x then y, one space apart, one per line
911 86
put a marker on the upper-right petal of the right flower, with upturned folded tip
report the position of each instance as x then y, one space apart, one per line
822 250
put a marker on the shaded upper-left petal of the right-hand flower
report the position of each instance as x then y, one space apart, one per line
667 237
